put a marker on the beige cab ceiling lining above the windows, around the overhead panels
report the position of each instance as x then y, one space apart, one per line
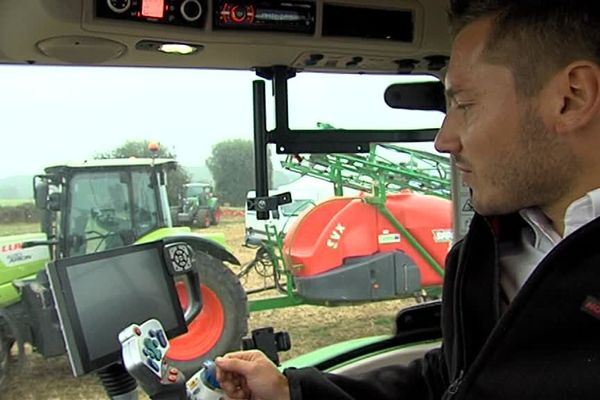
73 32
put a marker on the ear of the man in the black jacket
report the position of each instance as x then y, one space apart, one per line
579 89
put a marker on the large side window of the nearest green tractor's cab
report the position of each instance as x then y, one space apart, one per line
109 210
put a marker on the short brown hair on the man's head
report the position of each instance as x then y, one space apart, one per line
535 38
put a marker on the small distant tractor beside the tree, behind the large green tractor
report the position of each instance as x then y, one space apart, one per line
198 207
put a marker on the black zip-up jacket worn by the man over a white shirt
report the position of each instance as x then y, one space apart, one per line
545 346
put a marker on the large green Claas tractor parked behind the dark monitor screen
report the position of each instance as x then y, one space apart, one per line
100 205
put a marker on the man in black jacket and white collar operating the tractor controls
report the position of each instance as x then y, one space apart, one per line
521 301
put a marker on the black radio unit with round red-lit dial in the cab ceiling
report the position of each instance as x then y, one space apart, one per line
265 15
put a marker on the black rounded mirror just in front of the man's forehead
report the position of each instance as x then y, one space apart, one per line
425 96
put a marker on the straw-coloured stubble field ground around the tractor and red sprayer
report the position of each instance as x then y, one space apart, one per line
310 327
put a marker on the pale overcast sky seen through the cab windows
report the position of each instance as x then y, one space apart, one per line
52 115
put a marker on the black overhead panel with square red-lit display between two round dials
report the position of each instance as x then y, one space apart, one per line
172 12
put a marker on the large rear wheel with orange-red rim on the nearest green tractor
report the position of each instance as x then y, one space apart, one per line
221 324
